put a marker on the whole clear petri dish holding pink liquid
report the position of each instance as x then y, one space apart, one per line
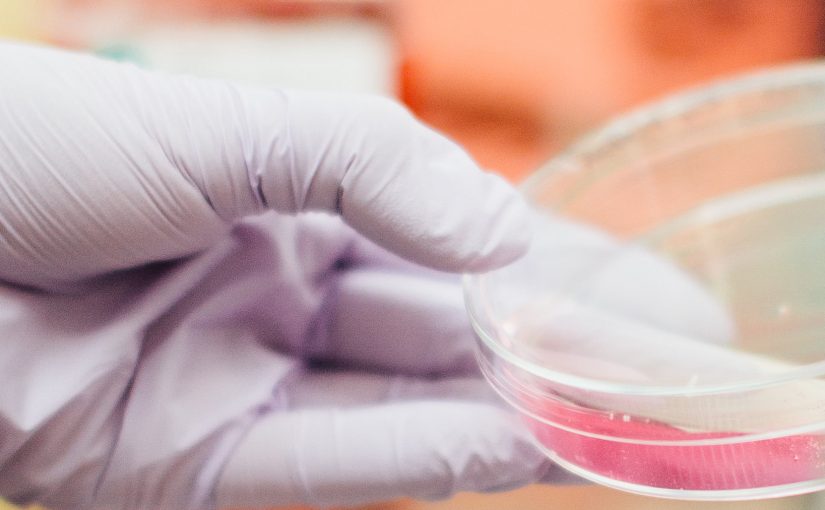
665 335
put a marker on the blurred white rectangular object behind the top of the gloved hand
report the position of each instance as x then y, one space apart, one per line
340 54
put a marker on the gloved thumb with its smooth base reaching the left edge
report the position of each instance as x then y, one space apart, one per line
110 166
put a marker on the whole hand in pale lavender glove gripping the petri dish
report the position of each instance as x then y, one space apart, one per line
159 351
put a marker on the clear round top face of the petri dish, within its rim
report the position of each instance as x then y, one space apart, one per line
676 248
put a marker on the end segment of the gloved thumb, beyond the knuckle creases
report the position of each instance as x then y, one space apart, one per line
433 205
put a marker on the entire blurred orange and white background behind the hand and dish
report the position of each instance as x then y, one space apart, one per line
513 81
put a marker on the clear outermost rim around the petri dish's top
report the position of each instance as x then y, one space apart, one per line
782 79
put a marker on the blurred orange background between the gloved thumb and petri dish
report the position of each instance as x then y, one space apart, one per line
516 80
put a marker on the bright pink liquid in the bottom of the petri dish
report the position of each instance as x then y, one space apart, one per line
653 454
